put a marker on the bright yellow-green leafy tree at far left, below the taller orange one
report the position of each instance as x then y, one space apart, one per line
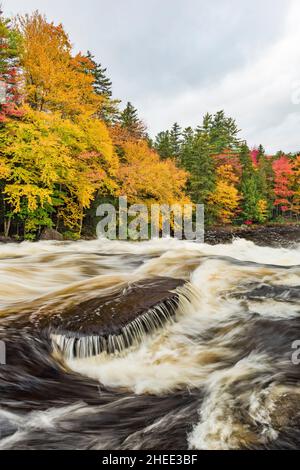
50 162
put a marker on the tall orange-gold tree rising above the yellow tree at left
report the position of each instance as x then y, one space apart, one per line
54 79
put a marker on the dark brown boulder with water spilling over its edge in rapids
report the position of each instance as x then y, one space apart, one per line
113 322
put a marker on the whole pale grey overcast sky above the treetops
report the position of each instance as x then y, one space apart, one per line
177 59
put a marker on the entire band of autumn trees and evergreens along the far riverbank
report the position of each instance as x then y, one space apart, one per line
67 146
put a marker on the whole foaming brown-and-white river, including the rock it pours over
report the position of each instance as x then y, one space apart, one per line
207 367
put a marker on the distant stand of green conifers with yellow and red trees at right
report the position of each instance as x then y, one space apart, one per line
237 185
